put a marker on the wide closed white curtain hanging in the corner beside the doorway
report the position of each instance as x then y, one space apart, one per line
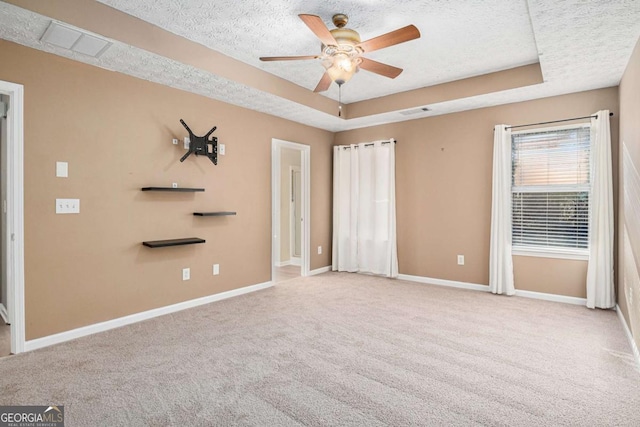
364 208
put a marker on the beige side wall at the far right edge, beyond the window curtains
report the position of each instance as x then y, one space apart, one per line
628 213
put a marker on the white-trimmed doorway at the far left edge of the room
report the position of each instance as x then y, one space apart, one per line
11 210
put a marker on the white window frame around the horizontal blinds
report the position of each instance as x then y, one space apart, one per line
546 251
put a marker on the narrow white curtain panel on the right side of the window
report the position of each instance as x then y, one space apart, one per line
600 291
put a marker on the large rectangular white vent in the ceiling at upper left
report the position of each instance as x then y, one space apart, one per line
75 39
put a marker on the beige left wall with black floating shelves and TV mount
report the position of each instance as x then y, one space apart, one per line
115 132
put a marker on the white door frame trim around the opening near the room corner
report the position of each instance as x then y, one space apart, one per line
276 191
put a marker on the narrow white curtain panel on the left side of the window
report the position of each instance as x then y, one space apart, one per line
500 261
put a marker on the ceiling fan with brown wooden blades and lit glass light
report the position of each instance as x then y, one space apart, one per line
342 50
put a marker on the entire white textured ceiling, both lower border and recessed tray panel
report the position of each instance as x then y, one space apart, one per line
581 45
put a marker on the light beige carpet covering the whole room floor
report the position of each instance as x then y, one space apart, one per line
348 350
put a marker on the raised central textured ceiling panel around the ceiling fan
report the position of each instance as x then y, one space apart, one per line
459 38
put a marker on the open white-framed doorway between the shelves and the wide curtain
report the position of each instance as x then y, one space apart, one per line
290 210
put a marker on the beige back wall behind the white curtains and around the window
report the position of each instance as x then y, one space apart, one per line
443 181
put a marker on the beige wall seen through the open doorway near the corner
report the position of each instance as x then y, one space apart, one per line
288 158
